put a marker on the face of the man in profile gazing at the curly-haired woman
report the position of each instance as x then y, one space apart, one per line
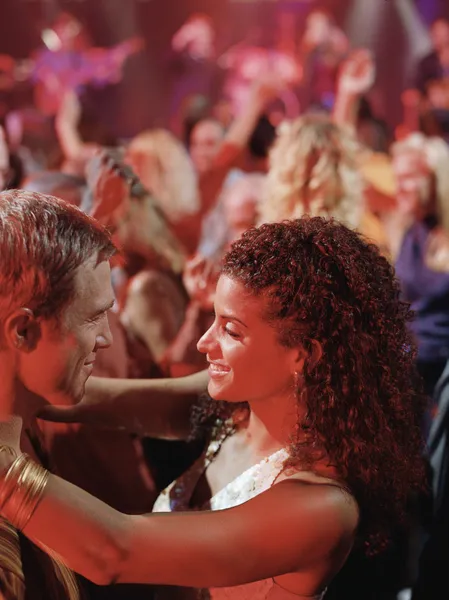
62 359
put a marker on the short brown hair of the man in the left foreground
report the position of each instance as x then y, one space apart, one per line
43 240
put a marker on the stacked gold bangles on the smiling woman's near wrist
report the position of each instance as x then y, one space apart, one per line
22 491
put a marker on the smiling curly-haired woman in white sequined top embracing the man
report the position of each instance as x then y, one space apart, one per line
317 443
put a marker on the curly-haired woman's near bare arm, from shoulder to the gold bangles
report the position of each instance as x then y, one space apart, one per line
293 526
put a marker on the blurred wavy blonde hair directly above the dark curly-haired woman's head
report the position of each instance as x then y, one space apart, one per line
314 170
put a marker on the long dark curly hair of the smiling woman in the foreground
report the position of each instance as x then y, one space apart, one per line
364 399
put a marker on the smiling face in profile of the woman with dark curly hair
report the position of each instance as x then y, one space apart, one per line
247 362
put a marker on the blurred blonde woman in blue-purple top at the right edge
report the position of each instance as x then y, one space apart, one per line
418 235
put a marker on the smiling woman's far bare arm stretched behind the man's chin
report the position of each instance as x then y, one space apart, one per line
152 407
